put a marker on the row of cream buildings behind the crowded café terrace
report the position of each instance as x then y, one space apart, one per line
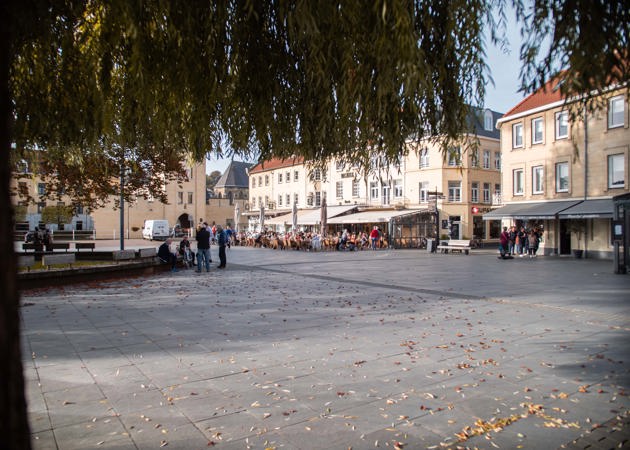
457 189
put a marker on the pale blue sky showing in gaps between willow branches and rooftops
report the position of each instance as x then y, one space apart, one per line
504 67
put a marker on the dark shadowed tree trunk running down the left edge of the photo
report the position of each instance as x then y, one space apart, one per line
14 428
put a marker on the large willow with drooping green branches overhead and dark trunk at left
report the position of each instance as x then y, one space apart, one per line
96 87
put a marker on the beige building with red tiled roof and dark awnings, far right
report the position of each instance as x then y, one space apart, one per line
562 165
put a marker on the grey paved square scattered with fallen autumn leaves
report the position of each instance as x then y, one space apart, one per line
296 350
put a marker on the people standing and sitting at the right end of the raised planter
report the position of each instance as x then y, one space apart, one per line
205 235
